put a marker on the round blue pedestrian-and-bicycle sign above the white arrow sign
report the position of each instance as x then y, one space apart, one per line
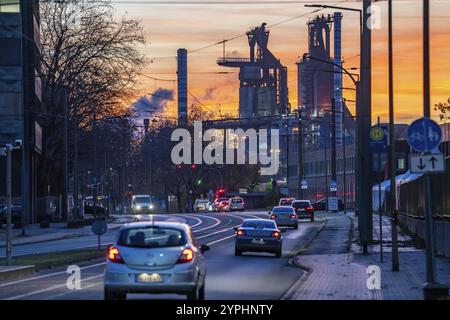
424 135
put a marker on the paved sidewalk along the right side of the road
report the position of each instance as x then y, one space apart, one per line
343 275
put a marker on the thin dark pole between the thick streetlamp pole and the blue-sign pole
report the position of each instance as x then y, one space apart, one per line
392 158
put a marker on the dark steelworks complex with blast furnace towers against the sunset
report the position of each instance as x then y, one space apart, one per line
264 103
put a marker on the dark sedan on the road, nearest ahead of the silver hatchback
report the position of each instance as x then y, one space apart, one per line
258 235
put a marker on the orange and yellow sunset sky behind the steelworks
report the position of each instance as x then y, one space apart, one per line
172 26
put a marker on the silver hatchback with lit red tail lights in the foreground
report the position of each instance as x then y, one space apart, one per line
155 257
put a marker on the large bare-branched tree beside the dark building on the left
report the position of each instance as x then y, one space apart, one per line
93 57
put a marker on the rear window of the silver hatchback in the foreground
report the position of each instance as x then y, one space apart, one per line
151 237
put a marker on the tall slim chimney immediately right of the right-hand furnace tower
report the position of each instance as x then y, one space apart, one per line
337 18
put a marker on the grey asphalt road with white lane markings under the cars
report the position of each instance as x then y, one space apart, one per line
250 276
